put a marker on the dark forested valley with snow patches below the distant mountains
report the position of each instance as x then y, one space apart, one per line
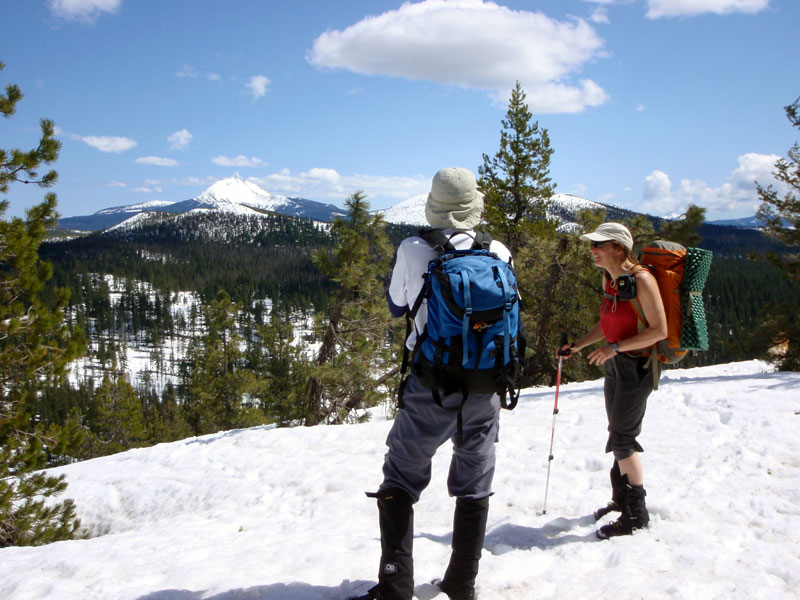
170 294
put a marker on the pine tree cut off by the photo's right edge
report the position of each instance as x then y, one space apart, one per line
780 216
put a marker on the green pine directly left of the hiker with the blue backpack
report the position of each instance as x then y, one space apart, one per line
355 360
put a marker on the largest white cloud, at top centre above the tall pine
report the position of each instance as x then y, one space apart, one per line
473 44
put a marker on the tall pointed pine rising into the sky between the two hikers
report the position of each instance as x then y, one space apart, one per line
516 180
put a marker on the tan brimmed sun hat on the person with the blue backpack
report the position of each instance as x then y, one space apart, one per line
454 201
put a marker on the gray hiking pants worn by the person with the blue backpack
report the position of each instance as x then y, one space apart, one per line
422 426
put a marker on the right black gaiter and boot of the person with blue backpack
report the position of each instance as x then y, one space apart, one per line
469 529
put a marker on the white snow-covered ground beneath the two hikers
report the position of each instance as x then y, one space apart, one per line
280 514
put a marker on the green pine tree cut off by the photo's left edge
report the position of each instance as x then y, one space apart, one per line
35 347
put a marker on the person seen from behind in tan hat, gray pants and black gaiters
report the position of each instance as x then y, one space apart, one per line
454 206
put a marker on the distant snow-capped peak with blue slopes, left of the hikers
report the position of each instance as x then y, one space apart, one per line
230 195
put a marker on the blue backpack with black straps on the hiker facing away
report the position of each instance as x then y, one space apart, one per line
473 340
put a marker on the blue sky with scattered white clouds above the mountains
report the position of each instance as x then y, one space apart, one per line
650 104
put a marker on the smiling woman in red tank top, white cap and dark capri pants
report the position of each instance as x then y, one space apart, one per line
628 382
